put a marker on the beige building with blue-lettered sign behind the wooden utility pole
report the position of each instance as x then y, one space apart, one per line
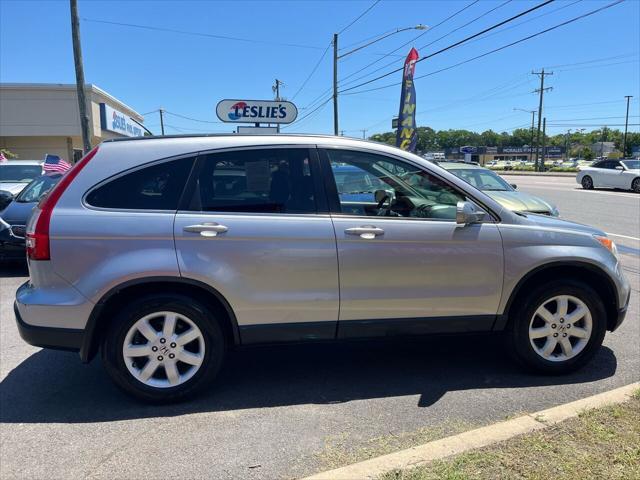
38 118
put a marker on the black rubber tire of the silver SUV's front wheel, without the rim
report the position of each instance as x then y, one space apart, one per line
517 336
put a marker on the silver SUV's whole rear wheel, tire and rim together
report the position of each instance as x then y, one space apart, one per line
163 348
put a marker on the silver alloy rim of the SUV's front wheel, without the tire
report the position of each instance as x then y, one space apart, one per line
560 328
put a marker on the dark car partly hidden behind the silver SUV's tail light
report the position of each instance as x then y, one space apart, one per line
14 217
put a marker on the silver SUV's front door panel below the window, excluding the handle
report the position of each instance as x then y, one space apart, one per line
418 268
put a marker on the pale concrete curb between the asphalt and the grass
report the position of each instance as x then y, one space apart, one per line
473 439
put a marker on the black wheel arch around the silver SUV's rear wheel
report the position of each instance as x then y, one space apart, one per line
98 320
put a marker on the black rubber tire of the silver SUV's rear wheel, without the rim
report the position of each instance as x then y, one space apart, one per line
214 344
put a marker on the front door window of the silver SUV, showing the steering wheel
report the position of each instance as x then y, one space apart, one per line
390 187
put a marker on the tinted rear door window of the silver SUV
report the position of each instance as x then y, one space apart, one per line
255 181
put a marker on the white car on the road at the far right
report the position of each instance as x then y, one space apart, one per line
624 174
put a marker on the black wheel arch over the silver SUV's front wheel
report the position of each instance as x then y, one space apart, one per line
584 272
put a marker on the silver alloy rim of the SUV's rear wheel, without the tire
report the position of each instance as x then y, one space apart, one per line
163 349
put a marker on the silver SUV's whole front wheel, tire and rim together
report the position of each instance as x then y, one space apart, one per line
558 327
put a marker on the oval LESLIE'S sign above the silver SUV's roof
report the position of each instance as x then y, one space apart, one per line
256 111
